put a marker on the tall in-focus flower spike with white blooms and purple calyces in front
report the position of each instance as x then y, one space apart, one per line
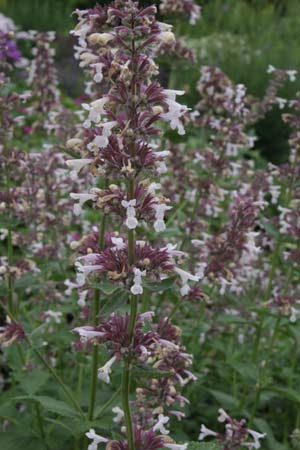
118 145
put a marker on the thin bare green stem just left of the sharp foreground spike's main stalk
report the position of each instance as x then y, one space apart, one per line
95 347
